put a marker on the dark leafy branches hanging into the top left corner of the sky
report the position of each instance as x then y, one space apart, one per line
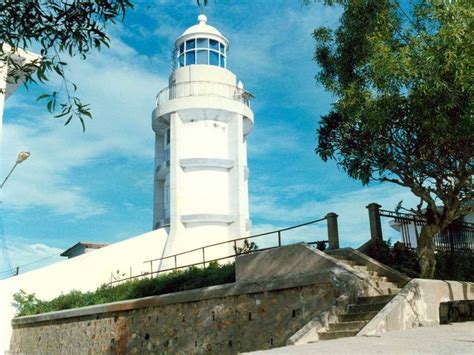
59 29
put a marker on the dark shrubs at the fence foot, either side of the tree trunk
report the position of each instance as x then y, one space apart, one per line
457 266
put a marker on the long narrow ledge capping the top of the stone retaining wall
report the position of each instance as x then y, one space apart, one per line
220 291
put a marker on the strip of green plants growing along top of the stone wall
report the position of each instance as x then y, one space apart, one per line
214 274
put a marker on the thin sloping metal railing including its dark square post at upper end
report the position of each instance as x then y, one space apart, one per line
155 265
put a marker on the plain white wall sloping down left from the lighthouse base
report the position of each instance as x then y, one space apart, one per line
85 272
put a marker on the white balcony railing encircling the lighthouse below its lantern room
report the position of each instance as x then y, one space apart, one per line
203 88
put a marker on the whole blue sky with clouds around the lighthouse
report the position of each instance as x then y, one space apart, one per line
97 186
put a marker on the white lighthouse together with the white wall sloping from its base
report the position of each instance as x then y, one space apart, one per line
201 193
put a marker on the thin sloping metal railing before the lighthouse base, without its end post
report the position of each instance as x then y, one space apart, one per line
156 265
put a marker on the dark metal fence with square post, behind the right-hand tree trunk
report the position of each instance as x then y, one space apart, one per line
458 236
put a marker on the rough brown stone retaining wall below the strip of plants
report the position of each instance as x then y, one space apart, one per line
190 322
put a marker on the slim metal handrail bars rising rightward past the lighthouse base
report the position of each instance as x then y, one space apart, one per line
204 261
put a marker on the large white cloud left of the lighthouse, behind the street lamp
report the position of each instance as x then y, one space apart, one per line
121 92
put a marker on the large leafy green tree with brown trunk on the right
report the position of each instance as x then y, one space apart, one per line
403 76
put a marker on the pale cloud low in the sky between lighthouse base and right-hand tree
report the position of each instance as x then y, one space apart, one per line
270 205
